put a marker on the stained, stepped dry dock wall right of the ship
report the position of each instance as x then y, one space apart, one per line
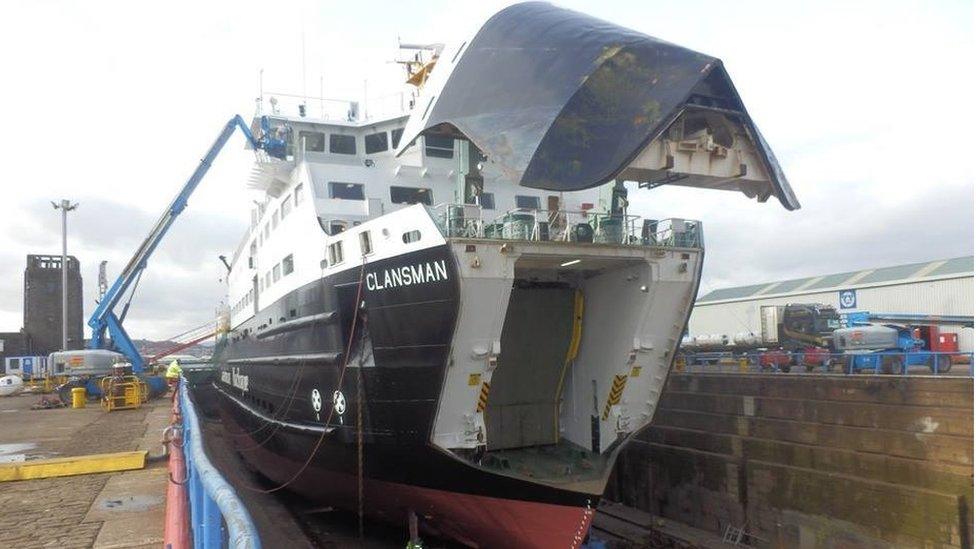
809 461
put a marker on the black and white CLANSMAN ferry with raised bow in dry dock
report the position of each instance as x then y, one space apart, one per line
452 312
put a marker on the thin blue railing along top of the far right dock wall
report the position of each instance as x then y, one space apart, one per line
821 361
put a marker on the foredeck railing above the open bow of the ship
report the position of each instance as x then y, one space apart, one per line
468 221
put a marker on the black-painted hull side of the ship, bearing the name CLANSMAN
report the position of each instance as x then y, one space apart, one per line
297 347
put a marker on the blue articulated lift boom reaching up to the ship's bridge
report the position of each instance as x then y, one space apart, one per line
104 320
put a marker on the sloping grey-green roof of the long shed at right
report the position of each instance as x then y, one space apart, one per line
942 268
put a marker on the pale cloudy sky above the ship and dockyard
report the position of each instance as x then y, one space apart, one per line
111 104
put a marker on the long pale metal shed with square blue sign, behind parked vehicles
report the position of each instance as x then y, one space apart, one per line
943 287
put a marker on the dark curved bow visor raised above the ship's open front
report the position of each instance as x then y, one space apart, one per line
562 101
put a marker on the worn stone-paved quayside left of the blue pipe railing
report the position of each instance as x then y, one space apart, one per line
117 510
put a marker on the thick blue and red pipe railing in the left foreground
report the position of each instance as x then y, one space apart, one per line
217 518
